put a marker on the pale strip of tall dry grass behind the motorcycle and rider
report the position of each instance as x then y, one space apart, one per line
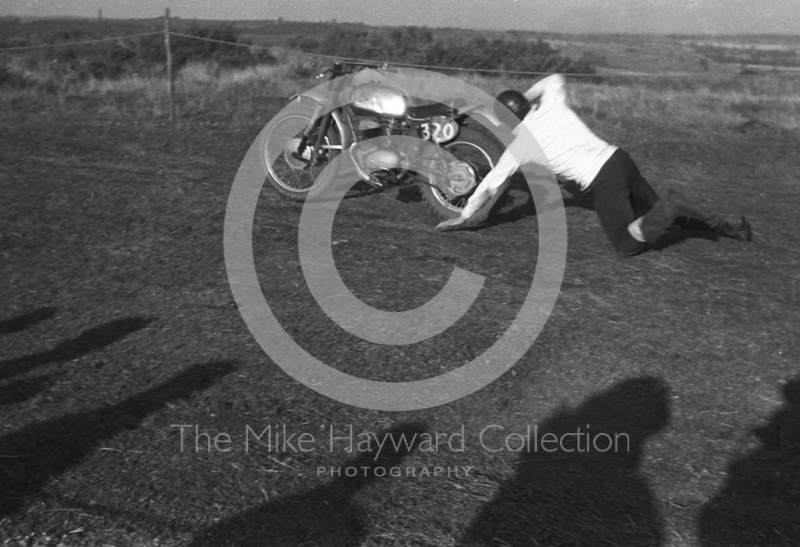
204 89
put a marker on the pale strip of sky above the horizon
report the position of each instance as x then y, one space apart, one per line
574 16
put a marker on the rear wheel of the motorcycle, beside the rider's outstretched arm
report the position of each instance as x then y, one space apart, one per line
479 149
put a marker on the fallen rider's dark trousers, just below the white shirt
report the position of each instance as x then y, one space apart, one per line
621 195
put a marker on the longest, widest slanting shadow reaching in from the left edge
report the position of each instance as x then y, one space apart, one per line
36 454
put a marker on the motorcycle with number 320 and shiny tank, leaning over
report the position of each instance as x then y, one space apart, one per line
373 109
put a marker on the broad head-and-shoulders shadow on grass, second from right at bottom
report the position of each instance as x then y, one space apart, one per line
588 490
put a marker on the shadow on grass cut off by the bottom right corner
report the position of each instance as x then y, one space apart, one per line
759 505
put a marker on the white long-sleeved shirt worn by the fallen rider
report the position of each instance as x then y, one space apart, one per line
570 149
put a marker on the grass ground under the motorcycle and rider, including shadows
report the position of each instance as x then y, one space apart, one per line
118 326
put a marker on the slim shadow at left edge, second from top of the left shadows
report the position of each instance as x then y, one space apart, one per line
86 342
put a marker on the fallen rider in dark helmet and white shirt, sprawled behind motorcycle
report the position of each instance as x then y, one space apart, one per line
633 216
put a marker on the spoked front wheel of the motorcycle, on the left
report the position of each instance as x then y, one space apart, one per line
289 173
